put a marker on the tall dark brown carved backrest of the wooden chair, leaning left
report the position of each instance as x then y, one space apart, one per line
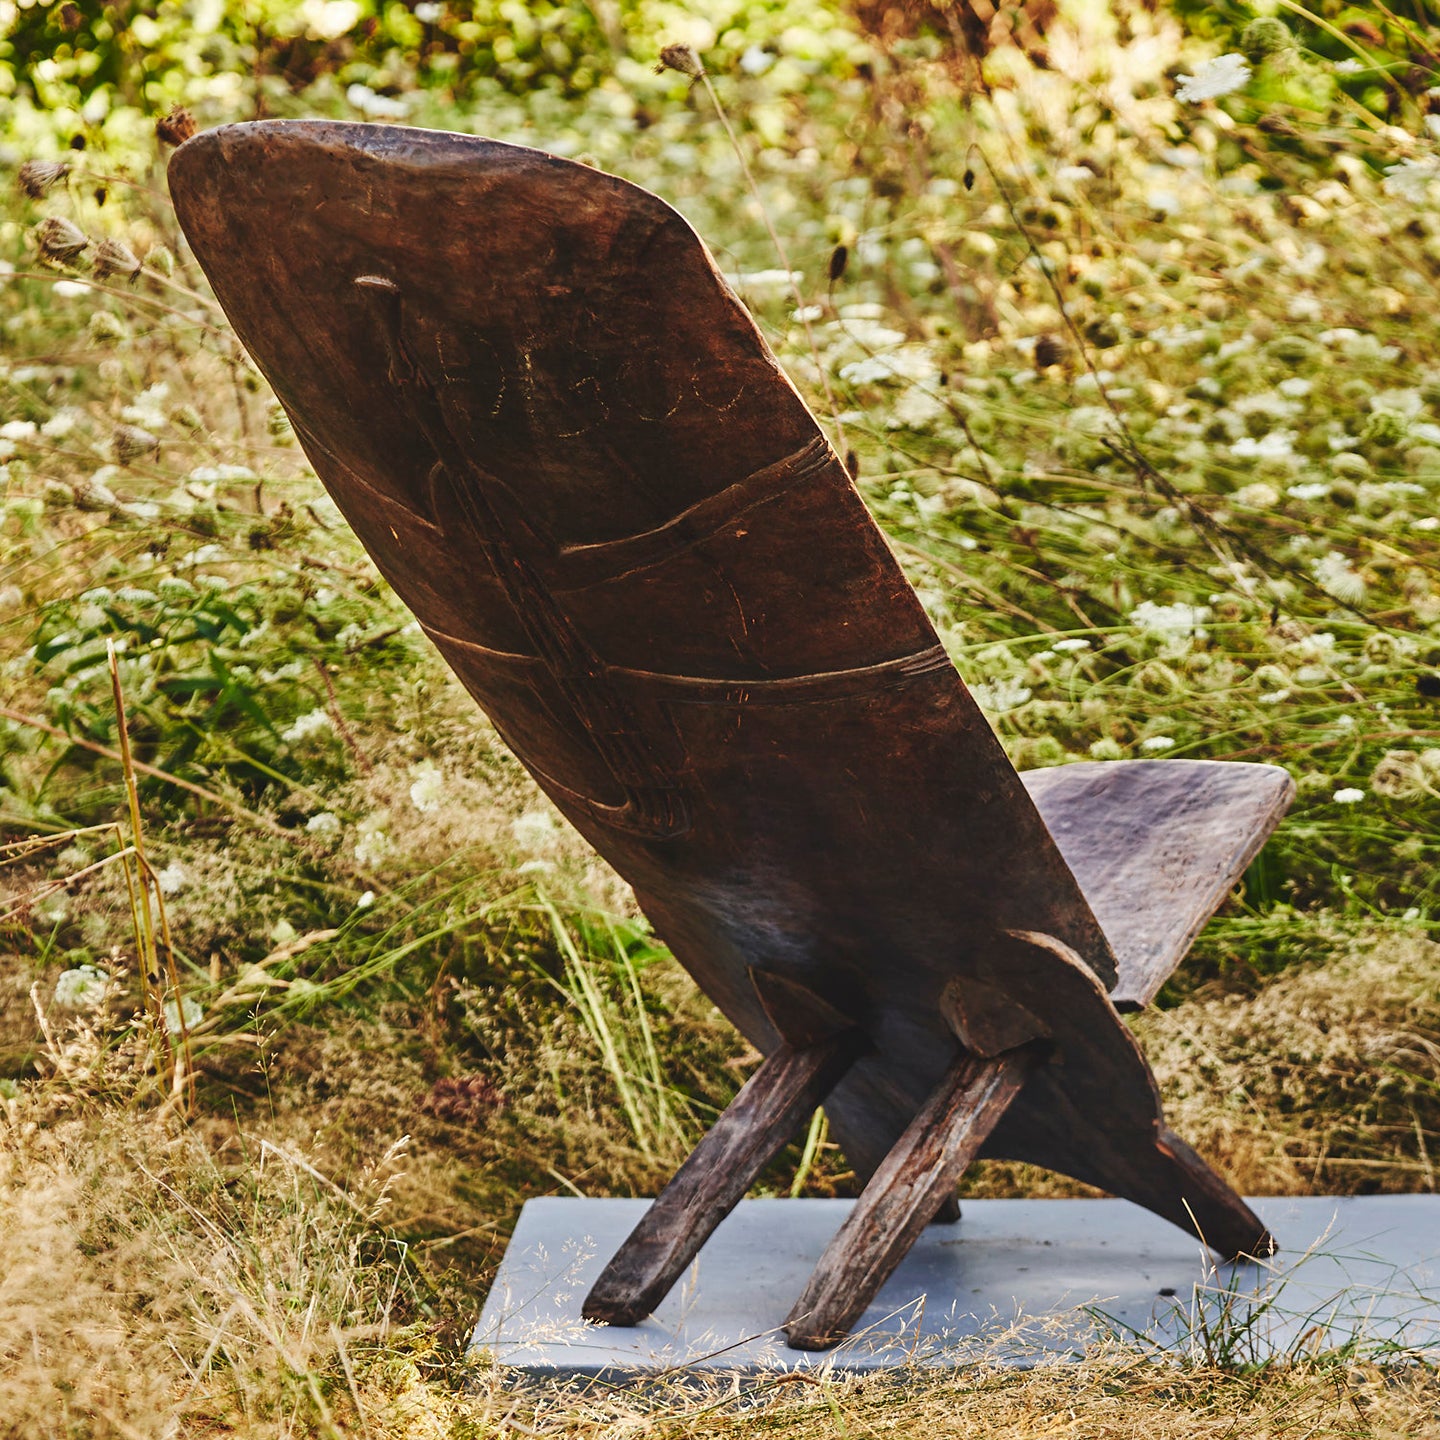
570 450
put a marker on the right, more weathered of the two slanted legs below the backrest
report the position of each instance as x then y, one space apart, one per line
905 1194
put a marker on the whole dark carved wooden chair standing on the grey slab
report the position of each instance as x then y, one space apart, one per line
568 449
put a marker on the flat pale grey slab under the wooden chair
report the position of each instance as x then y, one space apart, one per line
1014 1282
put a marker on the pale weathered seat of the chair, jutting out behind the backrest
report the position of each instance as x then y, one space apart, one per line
1157 847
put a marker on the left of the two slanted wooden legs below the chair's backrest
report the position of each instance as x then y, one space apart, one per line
762 1118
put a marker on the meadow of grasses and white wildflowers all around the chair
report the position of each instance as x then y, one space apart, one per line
1133 354
